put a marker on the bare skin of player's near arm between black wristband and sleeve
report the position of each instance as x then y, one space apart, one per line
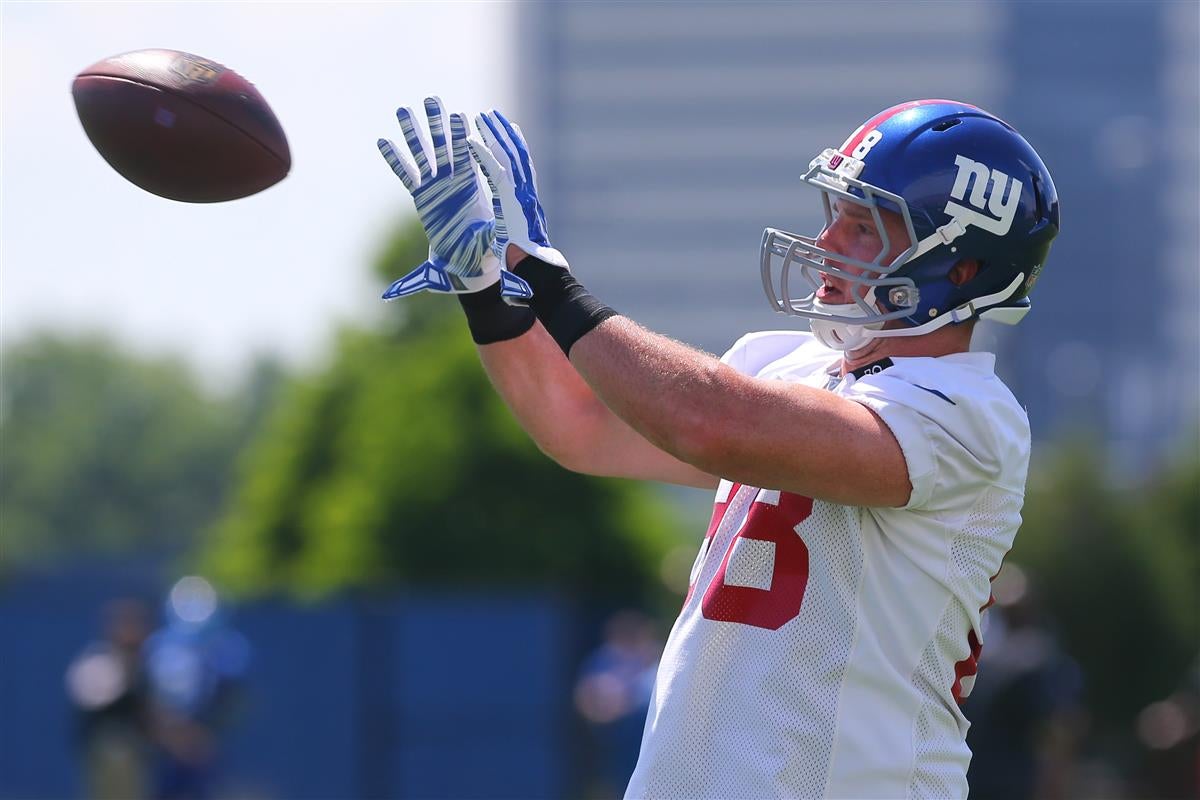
772 435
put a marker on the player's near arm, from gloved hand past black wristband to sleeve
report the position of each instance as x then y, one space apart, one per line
682 402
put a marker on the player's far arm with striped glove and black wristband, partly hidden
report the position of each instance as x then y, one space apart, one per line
467 239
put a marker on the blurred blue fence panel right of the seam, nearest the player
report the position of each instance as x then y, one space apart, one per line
482 688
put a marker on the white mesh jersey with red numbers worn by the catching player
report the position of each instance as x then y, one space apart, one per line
824 649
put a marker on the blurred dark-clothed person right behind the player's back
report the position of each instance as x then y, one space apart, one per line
1025 707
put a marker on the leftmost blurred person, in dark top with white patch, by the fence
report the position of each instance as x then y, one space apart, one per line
109 690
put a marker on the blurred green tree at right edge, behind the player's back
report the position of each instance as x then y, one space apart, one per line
1118 570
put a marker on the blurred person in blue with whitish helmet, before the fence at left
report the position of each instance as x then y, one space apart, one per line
195 665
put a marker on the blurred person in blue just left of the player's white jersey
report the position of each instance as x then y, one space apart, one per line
614 694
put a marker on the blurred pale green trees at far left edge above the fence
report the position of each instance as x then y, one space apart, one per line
103 452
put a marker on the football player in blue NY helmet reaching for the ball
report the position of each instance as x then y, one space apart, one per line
869 476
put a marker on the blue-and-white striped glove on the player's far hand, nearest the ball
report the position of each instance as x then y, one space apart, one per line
453 207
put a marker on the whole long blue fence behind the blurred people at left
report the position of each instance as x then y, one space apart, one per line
431 696
